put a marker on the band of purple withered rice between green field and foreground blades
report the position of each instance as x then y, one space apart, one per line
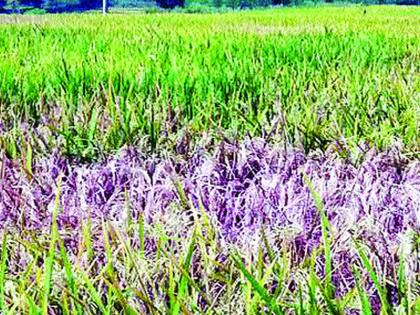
244 189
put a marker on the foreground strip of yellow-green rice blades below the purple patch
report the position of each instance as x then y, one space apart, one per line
187 274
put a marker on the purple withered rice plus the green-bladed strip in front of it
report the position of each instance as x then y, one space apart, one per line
247 229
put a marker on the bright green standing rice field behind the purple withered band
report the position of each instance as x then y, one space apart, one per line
311 75
